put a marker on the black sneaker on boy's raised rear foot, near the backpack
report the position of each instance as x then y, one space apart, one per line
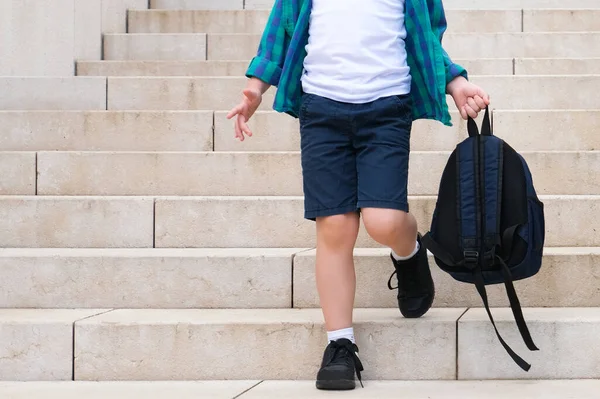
415 285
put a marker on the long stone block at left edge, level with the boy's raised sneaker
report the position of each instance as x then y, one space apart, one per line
146 278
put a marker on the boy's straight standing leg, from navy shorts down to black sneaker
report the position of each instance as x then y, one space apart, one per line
330 197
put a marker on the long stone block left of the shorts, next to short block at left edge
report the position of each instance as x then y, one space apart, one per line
183 173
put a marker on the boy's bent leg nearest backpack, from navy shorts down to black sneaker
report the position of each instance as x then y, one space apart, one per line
383 148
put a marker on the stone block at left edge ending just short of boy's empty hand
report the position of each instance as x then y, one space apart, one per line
106 130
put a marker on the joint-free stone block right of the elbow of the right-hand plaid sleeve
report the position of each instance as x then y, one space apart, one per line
530 45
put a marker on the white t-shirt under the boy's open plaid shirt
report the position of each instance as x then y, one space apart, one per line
356 51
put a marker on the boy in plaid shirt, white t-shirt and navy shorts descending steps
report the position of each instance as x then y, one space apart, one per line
357 73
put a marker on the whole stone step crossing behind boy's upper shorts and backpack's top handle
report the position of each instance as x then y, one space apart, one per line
193 131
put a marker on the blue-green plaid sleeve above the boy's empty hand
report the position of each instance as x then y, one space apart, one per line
268 62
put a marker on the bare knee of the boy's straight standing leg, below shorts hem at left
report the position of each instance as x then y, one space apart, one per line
338 230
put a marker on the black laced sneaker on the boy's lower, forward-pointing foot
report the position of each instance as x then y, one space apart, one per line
340 362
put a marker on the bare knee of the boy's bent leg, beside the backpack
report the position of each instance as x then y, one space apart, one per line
386 226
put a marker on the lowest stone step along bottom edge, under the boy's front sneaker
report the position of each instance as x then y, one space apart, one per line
559 389
